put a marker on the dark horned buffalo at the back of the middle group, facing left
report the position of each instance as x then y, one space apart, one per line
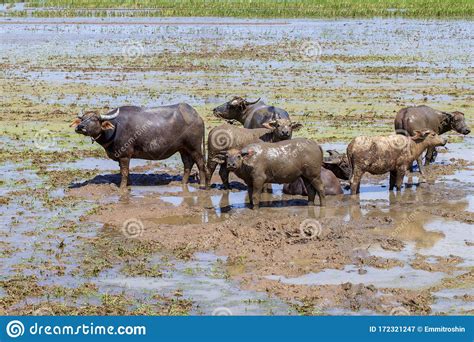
250 114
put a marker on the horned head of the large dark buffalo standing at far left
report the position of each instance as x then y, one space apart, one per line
93 124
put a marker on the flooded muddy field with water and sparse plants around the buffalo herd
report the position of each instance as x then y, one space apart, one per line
72 243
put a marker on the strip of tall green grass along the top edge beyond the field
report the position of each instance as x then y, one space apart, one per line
264 8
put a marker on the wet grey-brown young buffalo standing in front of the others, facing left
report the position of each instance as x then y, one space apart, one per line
281 162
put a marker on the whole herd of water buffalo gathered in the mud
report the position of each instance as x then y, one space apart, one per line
262 151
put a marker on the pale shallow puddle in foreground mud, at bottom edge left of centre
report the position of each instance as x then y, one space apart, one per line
202 280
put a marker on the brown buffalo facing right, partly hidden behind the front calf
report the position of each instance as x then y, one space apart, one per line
226 137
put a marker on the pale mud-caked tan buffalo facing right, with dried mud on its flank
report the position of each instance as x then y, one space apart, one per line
393 153
